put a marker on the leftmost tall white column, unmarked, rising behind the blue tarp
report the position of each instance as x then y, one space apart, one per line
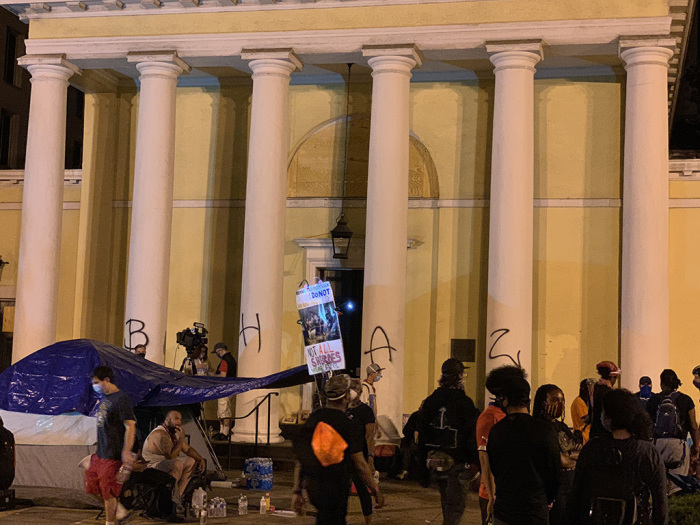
42 205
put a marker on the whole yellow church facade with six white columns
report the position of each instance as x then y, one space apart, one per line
503 165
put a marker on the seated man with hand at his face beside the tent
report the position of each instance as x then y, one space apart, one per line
164 448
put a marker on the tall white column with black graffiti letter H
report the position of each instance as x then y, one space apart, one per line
260 342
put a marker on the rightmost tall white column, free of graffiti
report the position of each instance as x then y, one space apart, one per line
645 218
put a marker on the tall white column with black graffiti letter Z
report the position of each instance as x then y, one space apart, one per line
509 307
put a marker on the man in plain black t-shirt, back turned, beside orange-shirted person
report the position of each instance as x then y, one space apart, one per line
523 456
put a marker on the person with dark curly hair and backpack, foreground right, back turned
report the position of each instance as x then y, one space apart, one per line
620 478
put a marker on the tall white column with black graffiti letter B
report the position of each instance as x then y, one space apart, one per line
152 203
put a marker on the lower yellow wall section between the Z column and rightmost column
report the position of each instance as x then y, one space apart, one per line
575 294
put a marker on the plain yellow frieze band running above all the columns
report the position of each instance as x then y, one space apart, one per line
410 15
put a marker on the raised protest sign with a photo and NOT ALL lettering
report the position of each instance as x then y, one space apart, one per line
323 345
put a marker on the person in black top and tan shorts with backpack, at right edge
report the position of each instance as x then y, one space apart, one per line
673 415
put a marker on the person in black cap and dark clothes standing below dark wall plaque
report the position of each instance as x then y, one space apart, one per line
447 437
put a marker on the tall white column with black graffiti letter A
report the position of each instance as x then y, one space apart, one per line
384 302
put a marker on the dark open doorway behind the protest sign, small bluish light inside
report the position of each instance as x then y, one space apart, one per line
347 286
